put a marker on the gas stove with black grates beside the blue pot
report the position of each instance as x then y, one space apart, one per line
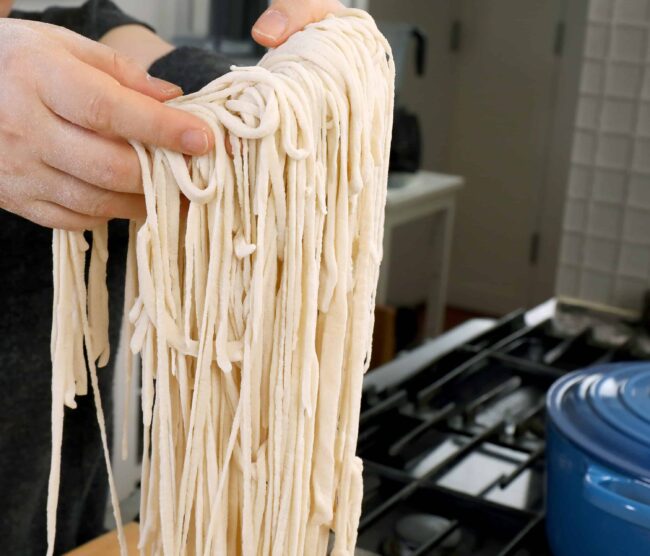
452 433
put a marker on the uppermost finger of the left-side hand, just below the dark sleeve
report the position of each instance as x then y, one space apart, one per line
123 69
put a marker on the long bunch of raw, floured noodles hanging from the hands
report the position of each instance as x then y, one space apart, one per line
252 311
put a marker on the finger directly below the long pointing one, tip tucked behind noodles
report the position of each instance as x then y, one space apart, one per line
104 162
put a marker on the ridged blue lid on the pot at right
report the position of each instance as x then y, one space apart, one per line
605 410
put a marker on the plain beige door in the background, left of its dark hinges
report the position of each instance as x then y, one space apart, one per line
503 104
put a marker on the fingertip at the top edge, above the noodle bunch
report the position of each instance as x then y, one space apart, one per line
285 17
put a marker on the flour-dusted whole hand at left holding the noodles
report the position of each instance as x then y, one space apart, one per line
67 104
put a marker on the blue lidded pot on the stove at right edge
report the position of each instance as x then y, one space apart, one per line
598 462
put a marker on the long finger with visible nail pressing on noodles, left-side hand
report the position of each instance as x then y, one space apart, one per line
94 100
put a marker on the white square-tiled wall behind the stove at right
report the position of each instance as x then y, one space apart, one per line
605 255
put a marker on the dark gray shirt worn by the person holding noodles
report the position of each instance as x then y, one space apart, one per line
25 320
